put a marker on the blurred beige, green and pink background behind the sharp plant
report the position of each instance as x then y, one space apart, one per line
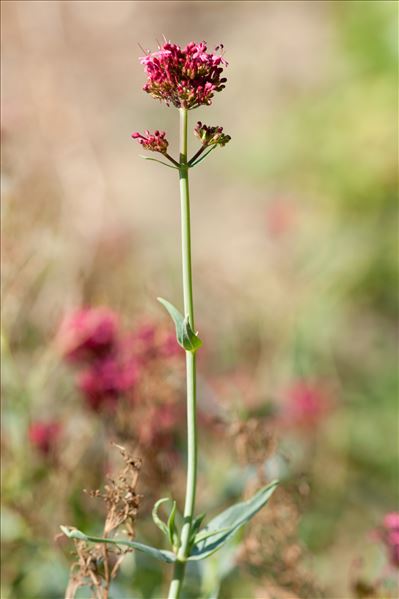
294 256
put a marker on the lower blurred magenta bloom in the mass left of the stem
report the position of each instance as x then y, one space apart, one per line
103 383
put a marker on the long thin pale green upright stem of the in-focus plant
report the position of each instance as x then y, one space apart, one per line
179 571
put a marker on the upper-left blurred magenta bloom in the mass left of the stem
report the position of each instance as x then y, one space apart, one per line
88 334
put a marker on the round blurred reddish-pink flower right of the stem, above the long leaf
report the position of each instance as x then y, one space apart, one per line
306 403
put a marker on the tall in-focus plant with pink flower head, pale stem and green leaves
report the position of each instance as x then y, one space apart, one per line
185 78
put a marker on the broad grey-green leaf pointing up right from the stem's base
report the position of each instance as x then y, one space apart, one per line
228 522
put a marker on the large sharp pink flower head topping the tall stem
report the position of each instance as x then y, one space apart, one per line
185 77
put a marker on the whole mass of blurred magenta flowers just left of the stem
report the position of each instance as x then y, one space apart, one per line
109 362
